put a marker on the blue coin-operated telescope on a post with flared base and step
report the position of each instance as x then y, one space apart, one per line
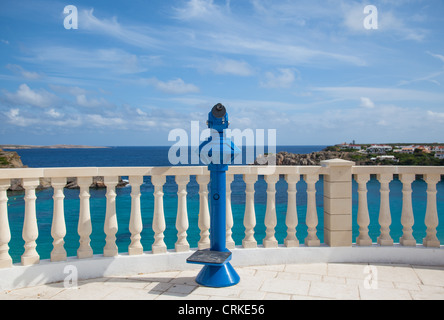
217 152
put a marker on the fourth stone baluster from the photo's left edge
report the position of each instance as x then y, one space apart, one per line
85 226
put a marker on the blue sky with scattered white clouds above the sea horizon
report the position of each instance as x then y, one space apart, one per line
135 70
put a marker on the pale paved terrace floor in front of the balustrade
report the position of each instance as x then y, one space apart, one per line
278 282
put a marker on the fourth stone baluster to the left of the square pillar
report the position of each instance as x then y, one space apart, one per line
250 216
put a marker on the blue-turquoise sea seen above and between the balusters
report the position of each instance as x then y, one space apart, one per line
158 156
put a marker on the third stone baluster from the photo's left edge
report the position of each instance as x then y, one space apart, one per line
58 229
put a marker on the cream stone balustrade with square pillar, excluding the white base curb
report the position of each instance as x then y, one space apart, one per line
337 176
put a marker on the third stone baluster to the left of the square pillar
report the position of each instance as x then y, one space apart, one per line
270 213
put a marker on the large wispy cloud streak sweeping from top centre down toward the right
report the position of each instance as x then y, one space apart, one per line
233 33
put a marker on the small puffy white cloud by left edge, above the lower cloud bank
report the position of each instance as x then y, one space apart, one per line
28 97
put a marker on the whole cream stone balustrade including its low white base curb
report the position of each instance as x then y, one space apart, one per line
338 247
